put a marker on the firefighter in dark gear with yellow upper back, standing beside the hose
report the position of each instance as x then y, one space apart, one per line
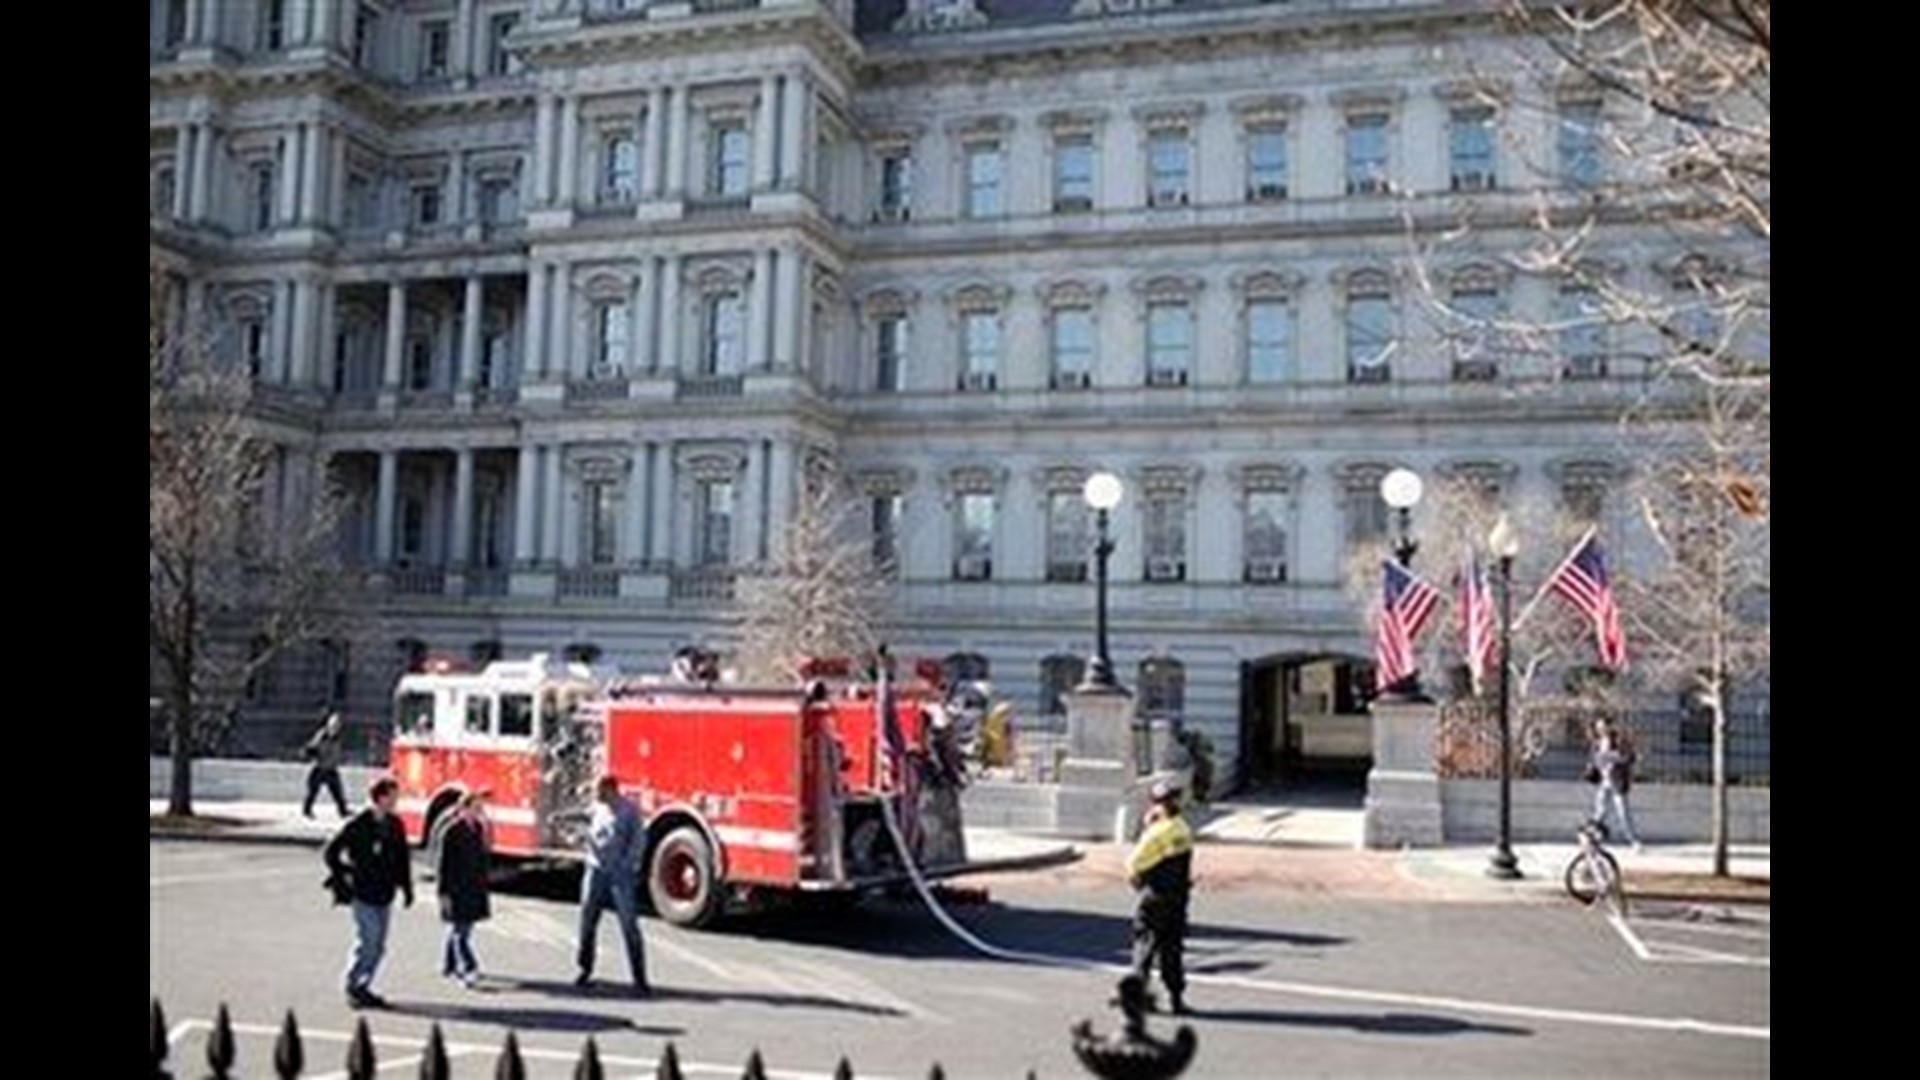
1161 870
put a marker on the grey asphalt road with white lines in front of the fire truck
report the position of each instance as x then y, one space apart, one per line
1285 985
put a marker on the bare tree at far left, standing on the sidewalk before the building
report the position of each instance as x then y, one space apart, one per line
233 576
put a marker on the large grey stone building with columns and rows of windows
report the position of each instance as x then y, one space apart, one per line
573 293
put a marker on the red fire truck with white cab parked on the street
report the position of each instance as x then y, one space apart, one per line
744 789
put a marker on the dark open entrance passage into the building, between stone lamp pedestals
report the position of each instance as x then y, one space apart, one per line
1305 722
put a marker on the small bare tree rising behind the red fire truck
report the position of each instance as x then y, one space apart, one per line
825 597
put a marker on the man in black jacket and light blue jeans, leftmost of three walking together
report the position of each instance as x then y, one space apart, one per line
366 868
